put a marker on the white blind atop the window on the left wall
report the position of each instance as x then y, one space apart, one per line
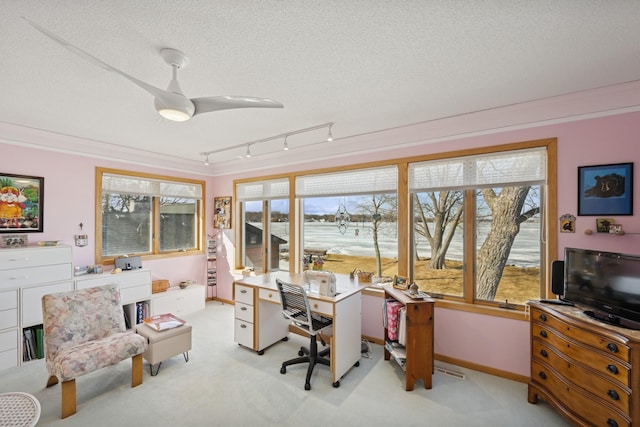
124 184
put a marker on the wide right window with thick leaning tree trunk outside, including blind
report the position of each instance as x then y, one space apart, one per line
477 225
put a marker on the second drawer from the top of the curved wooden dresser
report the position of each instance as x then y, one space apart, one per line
599 361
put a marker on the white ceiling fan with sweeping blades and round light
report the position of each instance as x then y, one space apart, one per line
172 104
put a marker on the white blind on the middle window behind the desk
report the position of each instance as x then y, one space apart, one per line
363 181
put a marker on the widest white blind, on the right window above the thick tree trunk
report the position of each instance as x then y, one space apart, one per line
502 169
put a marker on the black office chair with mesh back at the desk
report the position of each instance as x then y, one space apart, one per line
295 306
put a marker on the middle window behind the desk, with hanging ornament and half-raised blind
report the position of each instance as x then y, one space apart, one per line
350 220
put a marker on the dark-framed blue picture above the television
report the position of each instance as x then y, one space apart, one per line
605 189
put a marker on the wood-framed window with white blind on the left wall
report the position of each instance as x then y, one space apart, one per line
147 215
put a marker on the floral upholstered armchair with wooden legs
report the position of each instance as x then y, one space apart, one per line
84 330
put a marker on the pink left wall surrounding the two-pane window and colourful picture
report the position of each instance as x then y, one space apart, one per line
69 188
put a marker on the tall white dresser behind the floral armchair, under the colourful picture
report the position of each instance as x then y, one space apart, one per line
26 274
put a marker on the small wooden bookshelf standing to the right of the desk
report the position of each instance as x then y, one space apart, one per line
414 353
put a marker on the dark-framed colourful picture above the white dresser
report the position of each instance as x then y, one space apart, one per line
21 203
